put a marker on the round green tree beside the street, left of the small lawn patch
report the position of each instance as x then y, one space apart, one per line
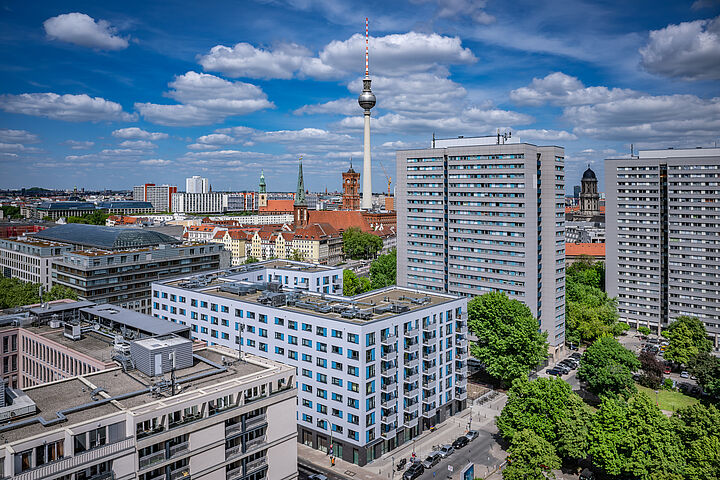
607 368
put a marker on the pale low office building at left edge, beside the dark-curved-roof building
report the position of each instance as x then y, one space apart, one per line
30 260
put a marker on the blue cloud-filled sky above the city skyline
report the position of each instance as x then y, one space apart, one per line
115 94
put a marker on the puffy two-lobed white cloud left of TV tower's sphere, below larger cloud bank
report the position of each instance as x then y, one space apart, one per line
205 99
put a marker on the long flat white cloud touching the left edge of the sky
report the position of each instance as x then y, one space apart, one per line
71 108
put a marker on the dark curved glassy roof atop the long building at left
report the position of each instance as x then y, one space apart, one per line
109 238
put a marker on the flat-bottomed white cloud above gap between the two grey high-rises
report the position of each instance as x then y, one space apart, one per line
560 89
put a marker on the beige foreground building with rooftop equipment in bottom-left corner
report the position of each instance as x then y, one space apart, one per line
211 416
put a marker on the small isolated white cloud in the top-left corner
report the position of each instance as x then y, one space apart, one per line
80 29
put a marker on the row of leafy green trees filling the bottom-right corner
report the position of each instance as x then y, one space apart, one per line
547 424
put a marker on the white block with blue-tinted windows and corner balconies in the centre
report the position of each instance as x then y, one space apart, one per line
374 370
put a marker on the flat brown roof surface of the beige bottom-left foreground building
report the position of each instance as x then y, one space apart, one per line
51 398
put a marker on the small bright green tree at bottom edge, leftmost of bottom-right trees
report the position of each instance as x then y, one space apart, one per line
531 457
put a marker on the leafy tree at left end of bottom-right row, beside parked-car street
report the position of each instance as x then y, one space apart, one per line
537 405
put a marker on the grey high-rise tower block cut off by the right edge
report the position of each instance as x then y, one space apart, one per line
662 244
